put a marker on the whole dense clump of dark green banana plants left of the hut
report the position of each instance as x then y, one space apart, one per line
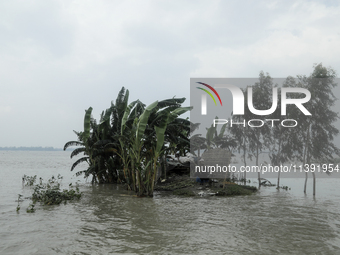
129 141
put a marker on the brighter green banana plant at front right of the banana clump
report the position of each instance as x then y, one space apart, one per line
142 143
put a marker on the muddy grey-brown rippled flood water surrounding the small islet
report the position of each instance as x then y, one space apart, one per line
110 220
